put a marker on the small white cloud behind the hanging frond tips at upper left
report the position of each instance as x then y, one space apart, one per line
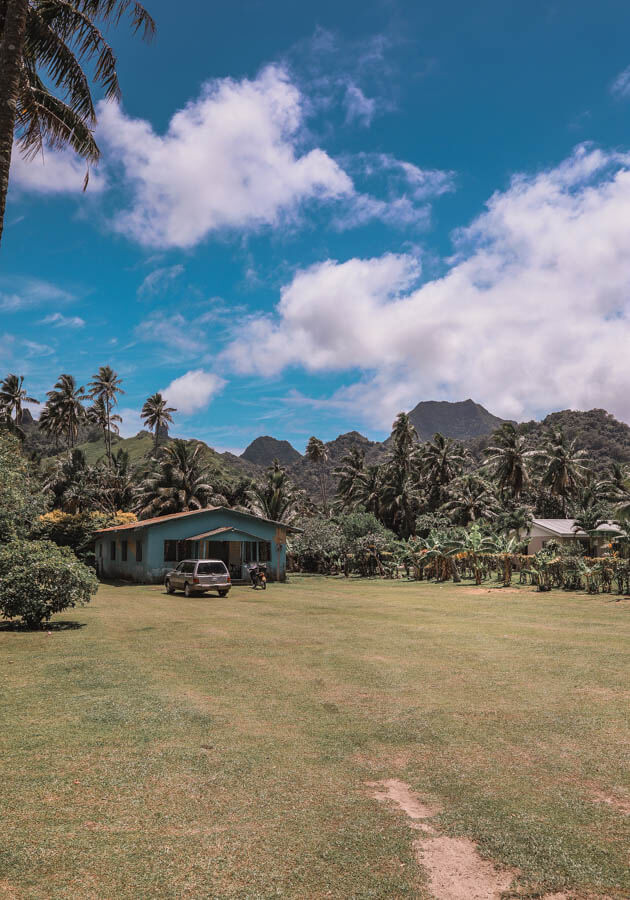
53 172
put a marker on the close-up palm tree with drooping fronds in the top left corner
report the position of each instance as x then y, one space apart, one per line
43 46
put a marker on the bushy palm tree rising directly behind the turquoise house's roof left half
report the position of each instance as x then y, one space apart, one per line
179 484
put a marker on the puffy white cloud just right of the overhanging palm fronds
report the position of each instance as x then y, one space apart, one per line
230 159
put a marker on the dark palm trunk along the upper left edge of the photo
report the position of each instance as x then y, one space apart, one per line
11 49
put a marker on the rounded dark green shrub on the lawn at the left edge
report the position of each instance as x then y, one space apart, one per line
38 579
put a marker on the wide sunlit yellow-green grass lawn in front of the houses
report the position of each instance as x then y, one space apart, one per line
221 747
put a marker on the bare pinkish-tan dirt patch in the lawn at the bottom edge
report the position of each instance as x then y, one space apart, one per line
454 867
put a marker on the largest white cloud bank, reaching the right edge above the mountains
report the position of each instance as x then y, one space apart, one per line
532 314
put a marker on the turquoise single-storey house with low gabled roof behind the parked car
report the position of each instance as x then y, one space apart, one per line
145 550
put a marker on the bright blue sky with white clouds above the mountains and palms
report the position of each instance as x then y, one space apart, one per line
310 216
